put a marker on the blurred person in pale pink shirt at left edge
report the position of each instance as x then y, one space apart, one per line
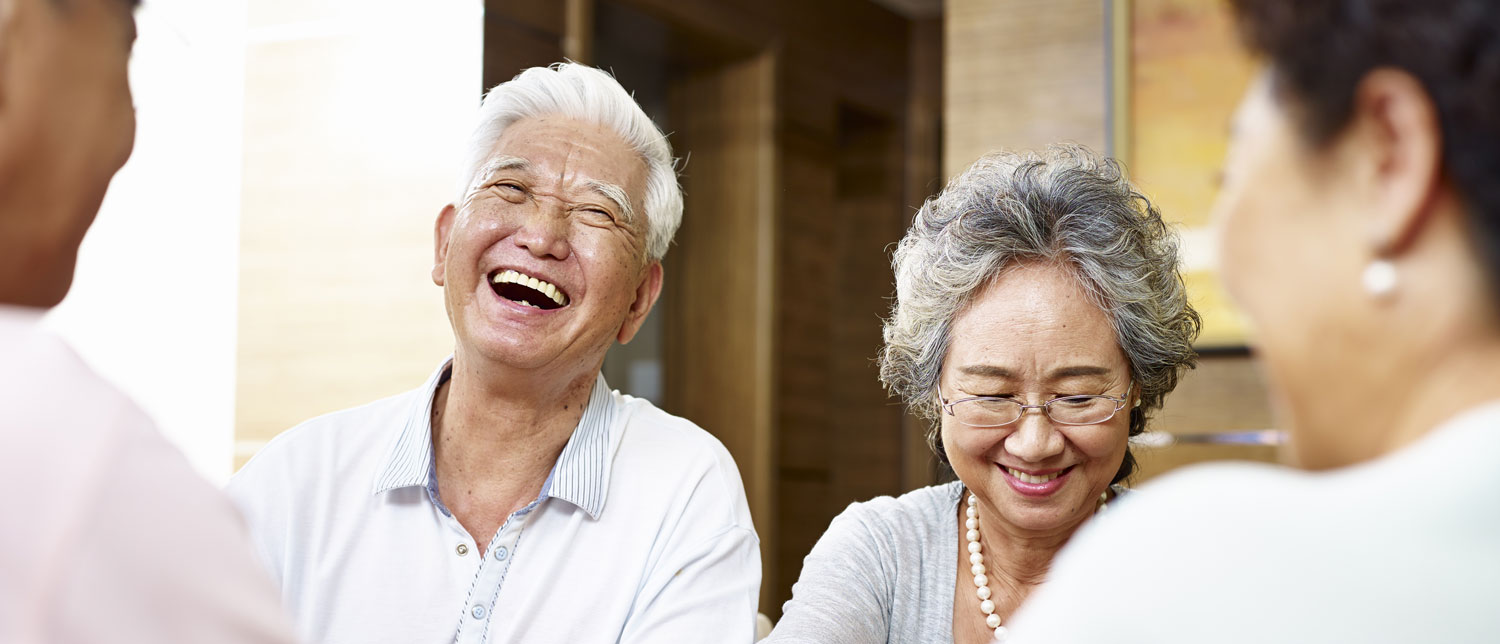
106 532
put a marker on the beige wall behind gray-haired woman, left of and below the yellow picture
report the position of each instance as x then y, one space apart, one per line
1027 73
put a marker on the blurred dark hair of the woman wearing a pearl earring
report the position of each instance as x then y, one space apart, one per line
1321 50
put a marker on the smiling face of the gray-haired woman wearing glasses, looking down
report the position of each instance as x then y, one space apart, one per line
1036 336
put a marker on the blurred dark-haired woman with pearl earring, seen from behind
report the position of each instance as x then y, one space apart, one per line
1361 233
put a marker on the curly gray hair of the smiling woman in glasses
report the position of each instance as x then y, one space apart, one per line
1066 206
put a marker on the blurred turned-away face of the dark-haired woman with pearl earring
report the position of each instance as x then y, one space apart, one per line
1292 251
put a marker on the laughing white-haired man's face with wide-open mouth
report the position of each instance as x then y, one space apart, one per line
544 265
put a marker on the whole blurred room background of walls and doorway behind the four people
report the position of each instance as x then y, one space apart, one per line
265 256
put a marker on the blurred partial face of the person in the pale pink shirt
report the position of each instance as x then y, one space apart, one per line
67 127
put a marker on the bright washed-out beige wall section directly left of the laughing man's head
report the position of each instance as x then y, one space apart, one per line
352 121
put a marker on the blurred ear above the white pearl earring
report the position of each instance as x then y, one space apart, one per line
1403 146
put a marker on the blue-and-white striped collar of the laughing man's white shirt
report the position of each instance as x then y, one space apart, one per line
581 475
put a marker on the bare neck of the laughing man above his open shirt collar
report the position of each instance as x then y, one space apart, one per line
496 442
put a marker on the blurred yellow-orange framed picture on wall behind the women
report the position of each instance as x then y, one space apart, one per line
1177 74
